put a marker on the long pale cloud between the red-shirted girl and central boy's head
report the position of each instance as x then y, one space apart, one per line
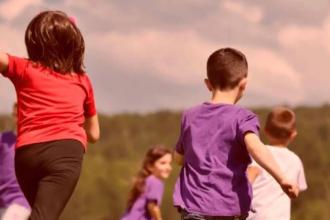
174 56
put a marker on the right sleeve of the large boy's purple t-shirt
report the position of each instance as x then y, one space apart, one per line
248 122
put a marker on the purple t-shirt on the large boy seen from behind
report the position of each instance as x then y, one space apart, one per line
213 178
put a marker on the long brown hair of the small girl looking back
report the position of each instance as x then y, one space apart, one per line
151 157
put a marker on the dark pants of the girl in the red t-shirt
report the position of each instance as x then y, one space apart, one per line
48 173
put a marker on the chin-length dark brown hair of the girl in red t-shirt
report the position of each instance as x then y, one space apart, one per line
53 40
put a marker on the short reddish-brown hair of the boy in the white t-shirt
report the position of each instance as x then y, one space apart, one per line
280 123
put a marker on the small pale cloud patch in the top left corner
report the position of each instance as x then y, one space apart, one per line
9 9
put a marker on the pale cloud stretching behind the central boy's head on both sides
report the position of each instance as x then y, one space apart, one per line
180 57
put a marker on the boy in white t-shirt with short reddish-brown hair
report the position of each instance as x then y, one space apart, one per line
269 201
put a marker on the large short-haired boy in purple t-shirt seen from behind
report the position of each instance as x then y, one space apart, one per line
214 145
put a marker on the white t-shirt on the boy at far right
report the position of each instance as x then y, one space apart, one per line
269 200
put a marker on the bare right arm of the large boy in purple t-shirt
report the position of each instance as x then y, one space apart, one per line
263 157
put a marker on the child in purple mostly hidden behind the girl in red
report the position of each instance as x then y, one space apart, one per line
13 204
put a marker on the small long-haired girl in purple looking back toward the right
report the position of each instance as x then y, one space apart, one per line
146 195
